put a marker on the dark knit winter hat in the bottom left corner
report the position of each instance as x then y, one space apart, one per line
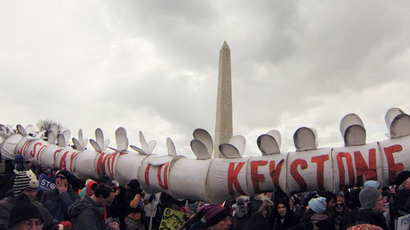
23 209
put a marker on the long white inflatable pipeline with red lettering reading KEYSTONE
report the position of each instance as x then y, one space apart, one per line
309 168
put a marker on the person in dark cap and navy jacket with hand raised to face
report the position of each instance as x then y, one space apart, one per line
58 200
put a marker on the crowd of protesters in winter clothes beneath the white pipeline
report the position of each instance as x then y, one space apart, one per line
101 203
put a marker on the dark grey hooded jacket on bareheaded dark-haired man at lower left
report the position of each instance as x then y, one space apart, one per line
86 214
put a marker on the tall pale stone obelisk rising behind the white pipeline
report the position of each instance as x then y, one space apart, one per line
223 126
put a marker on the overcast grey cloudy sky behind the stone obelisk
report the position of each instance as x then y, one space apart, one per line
153 66
